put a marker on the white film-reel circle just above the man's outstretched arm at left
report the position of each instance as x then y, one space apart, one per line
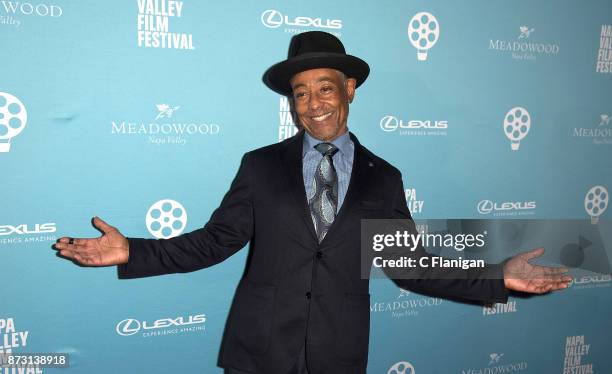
166 219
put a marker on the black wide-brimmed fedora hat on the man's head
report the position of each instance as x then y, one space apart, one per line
313 50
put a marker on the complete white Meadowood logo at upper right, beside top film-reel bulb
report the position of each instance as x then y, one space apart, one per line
524 47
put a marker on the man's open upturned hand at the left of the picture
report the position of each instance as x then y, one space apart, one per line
111 248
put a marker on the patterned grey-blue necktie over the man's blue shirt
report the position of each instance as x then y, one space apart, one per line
324 202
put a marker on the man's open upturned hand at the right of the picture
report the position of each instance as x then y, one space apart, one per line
520 275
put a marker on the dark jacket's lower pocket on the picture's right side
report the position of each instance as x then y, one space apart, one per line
353 338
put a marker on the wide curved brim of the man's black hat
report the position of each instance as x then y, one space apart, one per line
277 77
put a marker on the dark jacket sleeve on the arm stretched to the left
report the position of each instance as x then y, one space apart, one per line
229 229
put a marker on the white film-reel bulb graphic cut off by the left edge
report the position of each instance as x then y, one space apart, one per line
13 118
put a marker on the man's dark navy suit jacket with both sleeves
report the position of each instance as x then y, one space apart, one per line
295 289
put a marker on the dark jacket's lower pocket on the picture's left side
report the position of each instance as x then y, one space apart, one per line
251 318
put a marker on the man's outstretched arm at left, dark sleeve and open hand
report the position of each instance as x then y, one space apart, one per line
229 229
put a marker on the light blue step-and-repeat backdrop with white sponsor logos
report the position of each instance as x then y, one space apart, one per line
491 109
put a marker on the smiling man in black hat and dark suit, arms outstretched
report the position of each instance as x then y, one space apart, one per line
302 306
